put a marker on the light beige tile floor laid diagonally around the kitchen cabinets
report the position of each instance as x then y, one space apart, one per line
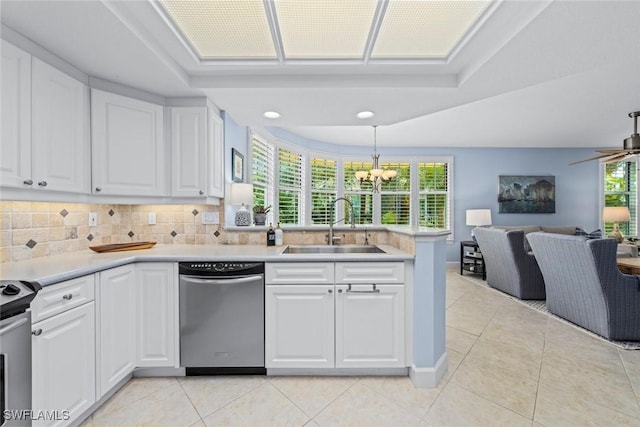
509 365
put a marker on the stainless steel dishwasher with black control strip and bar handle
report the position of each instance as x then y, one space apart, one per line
222 318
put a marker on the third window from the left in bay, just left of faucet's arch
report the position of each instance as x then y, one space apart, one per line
323 189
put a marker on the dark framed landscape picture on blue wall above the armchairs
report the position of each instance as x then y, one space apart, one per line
526 194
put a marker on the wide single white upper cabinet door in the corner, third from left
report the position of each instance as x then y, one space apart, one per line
128 150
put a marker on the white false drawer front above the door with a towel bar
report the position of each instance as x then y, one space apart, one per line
369 272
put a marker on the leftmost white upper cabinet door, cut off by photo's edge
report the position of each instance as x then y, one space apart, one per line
15 145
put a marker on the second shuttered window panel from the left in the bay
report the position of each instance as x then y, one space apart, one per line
290 184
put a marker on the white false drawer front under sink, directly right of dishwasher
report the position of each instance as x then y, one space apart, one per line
293 273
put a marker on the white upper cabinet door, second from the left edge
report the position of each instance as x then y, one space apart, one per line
60 122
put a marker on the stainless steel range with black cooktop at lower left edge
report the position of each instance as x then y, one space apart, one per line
15 351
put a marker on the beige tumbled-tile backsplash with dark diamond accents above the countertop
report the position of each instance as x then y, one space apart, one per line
38 229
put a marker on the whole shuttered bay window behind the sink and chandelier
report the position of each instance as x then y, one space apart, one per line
301 187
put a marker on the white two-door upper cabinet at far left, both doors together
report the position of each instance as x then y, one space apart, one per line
45 122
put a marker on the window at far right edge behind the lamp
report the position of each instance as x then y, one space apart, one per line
620 189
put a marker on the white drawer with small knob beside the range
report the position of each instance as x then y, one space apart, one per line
60 297
